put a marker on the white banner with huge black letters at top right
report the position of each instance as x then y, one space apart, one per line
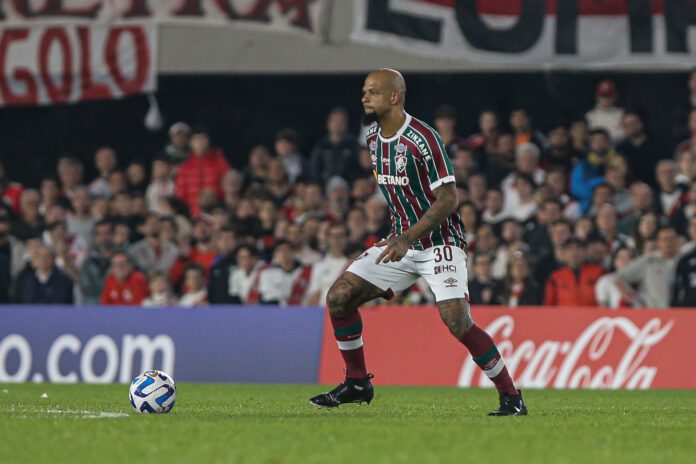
534 34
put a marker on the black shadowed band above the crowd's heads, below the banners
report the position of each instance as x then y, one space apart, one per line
243 111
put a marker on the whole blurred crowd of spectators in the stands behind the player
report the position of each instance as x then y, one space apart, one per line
575 215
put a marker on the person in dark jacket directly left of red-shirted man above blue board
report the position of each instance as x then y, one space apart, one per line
95 268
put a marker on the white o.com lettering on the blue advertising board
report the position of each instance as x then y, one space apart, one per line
70 361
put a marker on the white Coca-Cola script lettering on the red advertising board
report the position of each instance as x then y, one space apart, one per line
589 361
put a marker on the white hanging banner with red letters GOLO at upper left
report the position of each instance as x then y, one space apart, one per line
42 65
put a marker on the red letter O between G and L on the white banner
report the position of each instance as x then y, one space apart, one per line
57 94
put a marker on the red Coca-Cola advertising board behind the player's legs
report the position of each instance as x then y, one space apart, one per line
542 348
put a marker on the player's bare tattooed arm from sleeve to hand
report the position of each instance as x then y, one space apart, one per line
444 205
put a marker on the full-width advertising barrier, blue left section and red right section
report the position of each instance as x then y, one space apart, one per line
543 347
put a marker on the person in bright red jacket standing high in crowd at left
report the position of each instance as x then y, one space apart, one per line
202 171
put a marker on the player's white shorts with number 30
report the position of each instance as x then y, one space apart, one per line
443 267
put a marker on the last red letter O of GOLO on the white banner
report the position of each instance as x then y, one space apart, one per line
142 67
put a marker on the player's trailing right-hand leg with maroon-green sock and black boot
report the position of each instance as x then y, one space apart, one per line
456 315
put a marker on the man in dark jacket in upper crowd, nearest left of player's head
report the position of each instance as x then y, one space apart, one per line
336 154
